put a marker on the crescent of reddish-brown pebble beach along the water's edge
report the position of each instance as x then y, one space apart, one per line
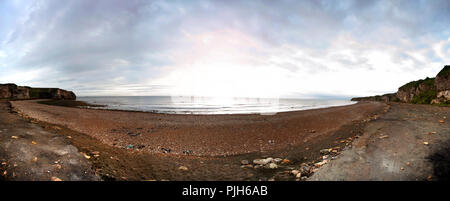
200 135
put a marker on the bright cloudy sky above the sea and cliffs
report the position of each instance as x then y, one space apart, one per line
292 49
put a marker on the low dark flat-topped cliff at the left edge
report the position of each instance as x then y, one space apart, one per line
14 92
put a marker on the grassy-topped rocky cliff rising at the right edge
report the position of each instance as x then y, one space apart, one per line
427 91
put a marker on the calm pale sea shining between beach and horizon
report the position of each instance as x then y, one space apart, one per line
206 105
